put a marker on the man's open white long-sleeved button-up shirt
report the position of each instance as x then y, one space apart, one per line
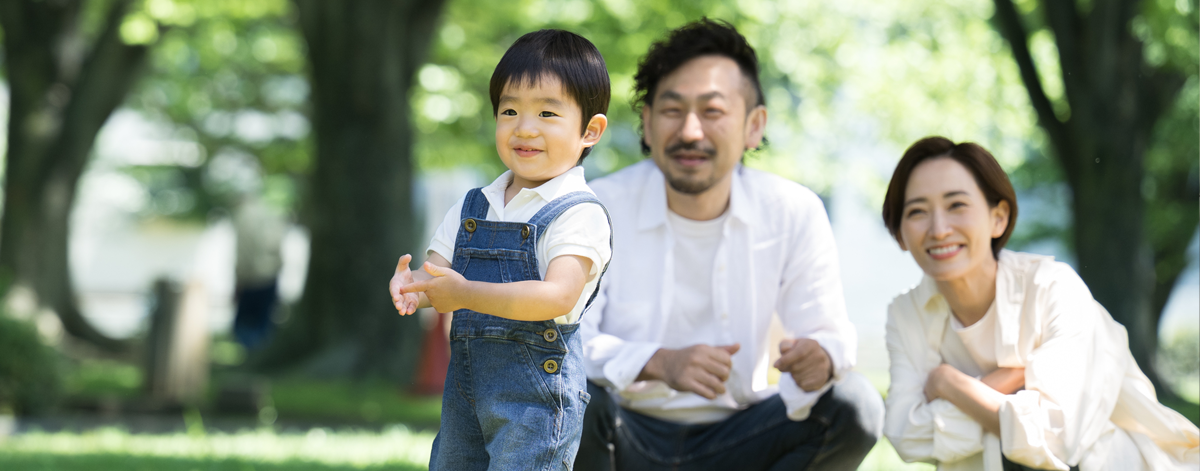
776 255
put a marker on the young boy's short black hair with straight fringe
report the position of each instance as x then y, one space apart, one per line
573 59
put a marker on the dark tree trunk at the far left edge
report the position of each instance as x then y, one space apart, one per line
61 96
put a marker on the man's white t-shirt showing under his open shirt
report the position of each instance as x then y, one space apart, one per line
693 318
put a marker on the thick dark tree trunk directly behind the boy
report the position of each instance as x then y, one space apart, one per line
363 58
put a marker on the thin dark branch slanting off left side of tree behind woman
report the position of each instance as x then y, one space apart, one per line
1010 25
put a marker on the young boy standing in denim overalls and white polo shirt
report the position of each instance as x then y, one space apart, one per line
518 263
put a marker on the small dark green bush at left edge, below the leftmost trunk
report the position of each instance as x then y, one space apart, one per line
31 372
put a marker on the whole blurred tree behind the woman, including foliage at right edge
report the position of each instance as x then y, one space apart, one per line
1119 108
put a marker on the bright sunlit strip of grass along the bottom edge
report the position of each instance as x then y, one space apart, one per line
319 450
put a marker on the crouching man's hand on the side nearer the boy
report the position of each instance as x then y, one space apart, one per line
700 369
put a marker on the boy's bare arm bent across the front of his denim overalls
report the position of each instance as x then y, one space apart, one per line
521 301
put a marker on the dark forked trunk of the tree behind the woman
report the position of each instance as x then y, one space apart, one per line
1115 102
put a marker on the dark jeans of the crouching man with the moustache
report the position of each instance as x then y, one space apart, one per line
844 426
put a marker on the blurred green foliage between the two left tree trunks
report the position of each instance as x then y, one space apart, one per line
227 76
